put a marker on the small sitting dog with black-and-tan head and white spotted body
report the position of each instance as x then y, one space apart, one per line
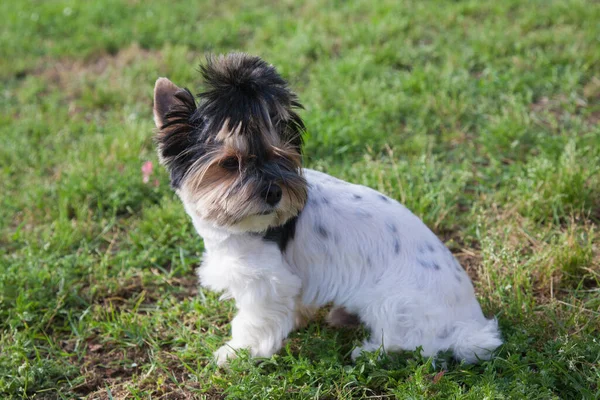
283 241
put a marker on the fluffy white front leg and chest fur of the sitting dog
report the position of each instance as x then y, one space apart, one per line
265 292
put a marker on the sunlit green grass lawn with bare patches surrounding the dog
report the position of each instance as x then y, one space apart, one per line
481 116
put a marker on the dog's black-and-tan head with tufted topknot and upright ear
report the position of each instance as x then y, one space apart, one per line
234 158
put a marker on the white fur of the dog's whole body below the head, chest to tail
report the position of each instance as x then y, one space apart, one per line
355 248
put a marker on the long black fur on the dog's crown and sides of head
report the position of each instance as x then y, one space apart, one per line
241 88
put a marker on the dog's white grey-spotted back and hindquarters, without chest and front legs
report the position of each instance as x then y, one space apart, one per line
359 249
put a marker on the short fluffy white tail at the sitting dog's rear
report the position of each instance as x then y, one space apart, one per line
476 340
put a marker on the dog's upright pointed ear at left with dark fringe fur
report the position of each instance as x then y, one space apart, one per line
173 110
